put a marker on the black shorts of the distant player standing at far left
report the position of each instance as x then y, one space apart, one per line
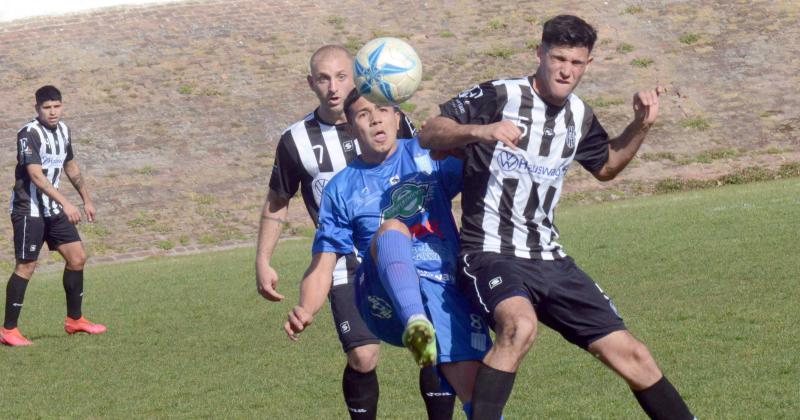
31 232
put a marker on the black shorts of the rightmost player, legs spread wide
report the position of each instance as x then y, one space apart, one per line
565 298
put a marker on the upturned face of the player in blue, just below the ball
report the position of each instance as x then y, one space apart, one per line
376 129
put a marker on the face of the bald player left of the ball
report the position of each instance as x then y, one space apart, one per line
331 79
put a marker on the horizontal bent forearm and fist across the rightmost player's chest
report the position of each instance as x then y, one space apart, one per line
442 133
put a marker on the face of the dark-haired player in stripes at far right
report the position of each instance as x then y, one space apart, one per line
560 70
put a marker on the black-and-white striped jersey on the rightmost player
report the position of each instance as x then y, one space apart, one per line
509 195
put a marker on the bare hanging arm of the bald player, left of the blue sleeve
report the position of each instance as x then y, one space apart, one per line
273 217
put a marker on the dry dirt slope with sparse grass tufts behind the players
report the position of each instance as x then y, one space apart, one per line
177 108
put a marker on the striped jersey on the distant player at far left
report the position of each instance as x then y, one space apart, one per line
41 145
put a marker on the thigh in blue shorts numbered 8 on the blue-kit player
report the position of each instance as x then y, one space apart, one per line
461 333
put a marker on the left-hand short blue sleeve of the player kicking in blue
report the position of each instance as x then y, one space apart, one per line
334 233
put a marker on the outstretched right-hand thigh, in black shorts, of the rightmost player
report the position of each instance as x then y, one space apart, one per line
575 306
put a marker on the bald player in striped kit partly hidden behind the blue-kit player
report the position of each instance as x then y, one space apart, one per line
310 153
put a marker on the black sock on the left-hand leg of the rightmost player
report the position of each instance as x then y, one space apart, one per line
492 389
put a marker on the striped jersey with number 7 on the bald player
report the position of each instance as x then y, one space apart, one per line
311 152
